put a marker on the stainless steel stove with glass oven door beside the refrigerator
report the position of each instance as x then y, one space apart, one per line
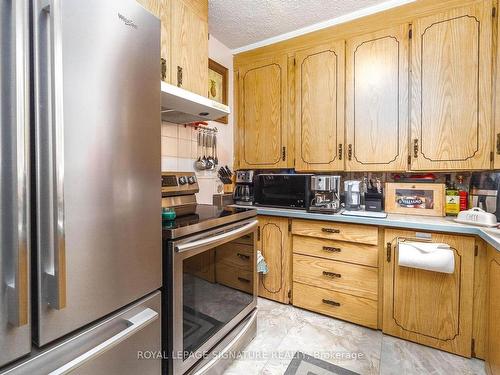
209 279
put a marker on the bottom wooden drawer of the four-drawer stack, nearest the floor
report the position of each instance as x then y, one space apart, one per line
338 305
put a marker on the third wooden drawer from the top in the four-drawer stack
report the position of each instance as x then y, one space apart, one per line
343 277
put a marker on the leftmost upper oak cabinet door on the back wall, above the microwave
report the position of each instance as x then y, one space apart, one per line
263 108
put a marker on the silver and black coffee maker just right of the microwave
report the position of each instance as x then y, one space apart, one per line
326 190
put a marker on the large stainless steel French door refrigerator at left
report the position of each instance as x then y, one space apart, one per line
80 257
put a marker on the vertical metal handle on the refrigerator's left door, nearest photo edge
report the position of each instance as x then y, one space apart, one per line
17 286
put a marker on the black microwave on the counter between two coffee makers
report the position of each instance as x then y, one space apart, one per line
283 190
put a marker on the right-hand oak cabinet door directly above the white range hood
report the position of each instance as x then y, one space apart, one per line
189 62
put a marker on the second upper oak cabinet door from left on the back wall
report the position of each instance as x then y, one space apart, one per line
319 117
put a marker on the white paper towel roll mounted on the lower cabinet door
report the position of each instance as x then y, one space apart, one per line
437 257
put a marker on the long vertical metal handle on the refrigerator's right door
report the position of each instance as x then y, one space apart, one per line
55 274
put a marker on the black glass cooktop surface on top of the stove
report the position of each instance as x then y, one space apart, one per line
205 217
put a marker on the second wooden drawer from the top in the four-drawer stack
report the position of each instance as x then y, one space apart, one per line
336 250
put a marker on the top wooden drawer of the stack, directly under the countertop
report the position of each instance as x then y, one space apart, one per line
336 231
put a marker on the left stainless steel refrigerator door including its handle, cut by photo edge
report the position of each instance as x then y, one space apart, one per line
15 330
